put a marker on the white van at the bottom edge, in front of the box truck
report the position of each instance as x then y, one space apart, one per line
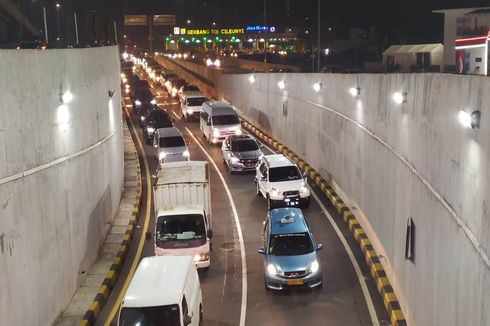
165 290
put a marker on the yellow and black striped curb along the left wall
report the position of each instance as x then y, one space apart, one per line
109 281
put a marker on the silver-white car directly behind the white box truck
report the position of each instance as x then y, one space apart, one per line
170 146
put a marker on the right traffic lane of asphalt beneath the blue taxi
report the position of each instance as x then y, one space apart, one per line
340 301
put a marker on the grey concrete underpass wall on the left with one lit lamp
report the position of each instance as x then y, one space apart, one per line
61 174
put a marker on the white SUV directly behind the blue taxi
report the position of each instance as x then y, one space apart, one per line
281 182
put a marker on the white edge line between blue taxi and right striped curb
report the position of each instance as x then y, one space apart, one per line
355 264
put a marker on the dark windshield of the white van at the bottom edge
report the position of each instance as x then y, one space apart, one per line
150 316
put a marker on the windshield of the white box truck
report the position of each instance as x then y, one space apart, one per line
180 227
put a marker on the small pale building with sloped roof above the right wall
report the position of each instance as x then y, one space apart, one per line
414 57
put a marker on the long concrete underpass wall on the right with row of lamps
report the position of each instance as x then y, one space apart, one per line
392 162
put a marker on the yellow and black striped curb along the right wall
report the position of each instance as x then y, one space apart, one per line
377 271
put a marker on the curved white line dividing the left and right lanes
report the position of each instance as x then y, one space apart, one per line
243 310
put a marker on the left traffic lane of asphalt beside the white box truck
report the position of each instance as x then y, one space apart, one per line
221 283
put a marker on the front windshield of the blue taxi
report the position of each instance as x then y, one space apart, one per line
290 244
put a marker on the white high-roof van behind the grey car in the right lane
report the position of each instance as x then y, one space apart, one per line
218 120
